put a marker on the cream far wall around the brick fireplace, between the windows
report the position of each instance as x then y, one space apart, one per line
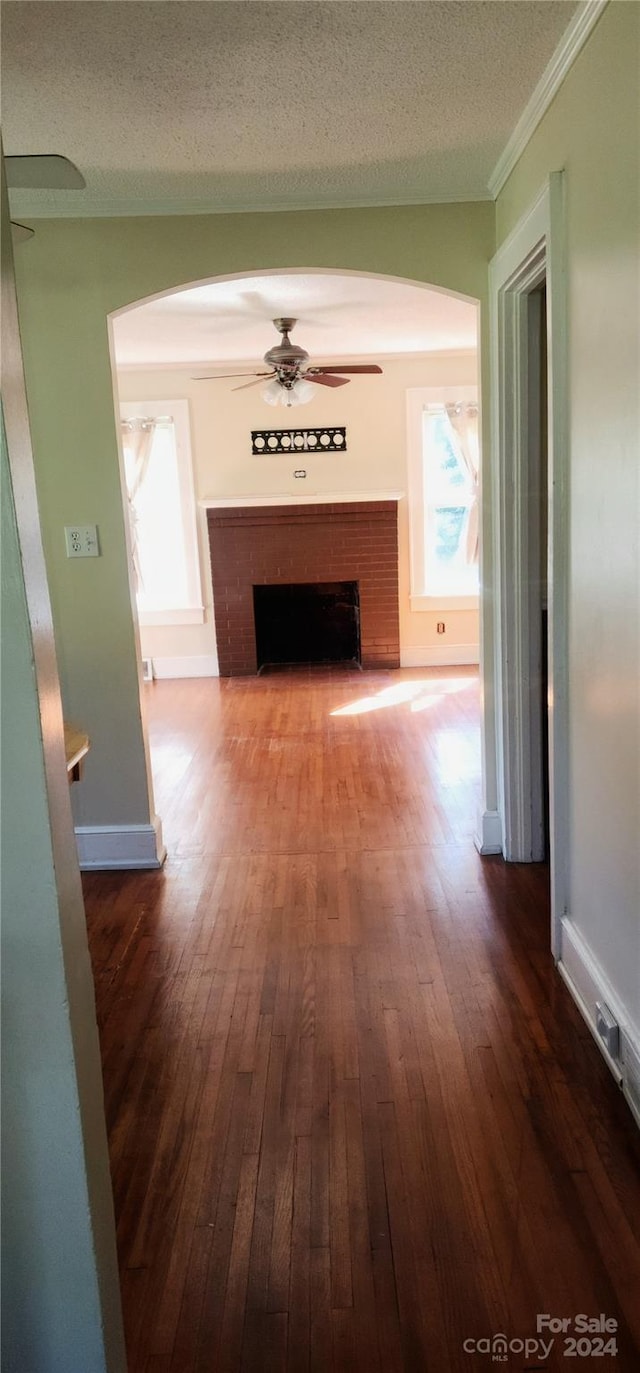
374 411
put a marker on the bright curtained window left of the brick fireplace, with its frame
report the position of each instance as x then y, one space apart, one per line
160 494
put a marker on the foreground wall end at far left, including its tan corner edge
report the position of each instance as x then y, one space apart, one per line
61 1300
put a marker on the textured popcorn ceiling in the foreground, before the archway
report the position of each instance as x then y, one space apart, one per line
227 106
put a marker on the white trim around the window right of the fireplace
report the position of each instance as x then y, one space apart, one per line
418 400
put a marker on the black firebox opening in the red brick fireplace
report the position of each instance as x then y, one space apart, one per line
307 623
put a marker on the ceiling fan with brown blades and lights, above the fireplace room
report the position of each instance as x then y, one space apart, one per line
289 376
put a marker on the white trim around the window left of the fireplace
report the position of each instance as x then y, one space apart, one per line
179 411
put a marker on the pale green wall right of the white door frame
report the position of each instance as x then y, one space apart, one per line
593 132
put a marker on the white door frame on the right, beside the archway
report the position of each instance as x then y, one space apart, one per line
534 253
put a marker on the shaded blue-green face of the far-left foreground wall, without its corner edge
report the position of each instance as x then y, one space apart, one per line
52 1308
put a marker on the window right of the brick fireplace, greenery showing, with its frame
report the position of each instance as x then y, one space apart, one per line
444 469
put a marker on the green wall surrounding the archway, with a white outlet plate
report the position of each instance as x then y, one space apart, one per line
71 277
